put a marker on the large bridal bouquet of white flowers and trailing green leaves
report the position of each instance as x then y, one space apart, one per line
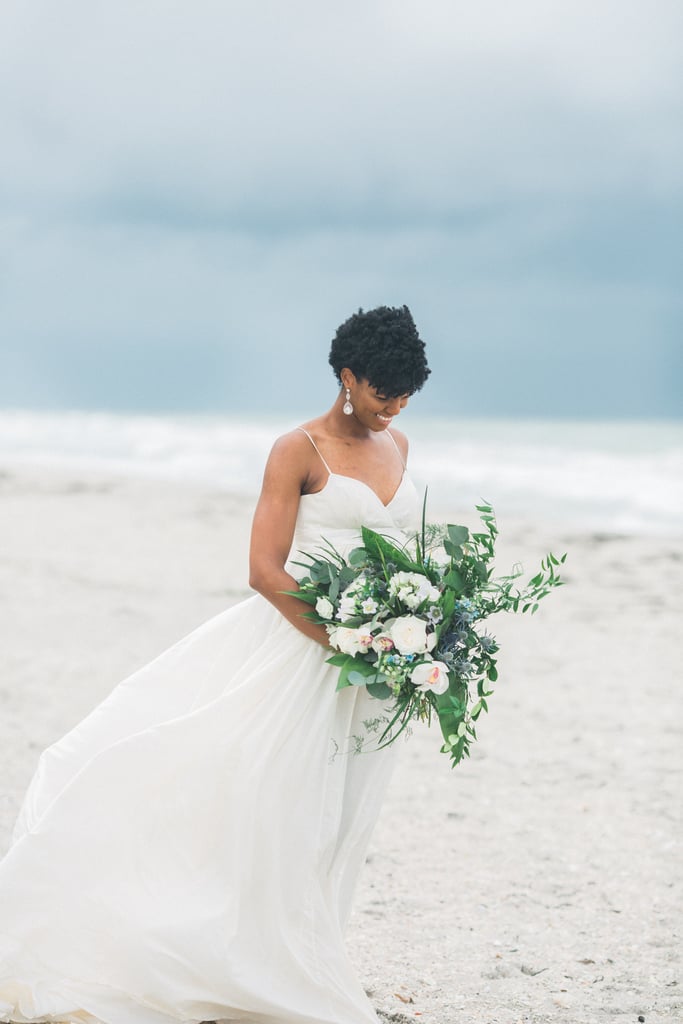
407 623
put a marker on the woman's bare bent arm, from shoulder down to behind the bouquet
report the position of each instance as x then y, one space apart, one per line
273 530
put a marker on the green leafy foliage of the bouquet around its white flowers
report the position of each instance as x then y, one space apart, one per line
459 565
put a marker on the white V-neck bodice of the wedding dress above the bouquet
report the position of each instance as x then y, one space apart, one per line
345 505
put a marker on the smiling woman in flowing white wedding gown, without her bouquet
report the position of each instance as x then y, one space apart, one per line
189 851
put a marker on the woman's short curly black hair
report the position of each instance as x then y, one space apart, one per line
382 347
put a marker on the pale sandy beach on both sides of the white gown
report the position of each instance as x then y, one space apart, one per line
539 882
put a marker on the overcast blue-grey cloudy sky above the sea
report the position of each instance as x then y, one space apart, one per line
194 196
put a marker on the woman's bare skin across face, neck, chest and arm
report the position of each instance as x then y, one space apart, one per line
353 446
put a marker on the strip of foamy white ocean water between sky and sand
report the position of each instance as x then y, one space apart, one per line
613 477
